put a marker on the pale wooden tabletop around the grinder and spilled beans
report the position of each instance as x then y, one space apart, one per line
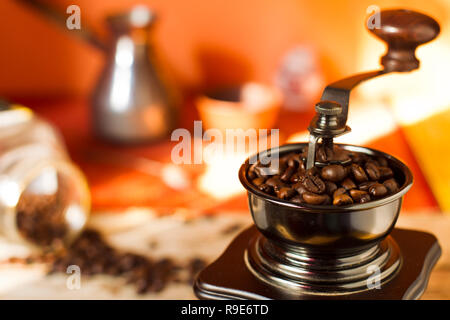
172 237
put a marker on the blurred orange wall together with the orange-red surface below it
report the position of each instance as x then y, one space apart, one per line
204 43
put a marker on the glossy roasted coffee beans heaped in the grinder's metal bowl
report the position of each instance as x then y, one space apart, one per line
361 179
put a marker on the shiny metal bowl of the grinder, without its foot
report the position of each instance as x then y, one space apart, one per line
327 229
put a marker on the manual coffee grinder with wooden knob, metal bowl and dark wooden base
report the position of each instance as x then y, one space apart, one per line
301 251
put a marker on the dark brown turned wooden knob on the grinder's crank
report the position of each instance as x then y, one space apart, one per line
403 31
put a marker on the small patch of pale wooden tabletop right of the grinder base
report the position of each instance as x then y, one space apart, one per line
439 284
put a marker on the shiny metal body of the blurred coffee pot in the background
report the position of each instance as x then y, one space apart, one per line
131 101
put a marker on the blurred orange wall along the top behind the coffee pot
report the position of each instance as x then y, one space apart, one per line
204 42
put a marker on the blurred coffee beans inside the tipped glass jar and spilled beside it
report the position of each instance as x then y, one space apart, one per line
40 219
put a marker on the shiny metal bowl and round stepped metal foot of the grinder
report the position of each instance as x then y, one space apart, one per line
325 250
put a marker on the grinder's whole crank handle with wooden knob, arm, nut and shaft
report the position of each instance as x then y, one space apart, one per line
403 31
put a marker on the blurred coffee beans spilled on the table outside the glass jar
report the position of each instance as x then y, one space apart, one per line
94 256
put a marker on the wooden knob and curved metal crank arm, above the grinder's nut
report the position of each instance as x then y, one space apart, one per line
403 31
